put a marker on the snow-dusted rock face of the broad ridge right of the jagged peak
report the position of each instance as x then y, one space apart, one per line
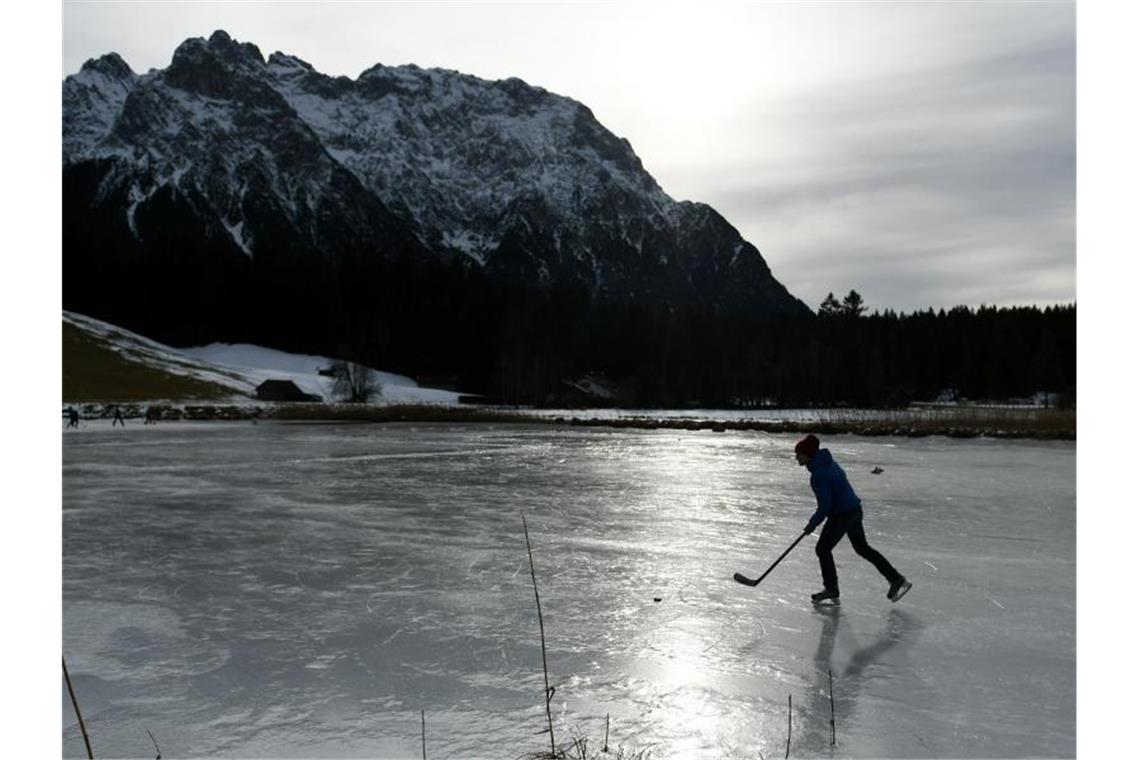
498 136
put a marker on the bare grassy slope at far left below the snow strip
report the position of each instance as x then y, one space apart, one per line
93 372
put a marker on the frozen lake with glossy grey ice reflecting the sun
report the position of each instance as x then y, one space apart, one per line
306 591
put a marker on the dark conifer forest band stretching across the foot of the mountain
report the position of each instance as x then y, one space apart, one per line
509 342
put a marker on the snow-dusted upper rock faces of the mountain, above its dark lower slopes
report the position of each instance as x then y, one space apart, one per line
499 137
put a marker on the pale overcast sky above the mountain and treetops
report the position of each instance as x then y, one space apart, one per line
922 153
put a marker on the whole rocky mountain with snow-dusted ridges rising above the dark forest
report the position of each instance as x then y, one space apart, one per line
235 168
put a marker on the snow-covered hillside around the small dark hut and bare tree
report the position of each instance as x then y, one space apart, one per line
243 367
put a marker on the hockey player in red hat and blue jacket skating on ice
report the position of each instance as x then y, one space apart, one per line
844 512
